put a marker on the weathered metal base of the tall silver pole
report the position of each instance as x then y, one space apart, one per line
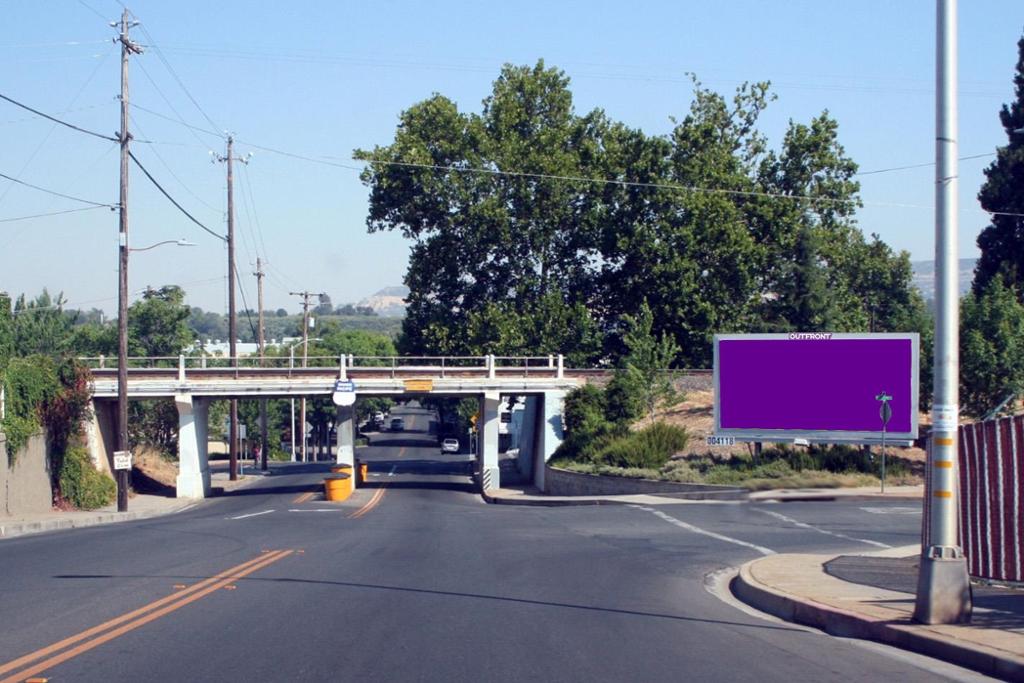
944 587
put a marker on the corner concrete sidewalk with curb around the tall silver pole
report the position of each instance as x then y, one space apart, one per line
798 588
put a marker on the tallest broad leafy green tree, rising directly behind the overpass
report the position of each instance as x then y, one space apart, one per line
505 246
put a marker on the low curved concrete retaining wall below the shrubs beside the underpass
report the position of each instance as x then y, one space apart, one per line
564 483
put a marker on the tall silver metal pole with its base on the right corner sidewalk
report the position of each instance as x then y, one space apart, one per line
944 585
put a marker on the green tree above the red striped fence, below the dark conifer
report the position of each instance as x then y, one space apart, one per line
992 348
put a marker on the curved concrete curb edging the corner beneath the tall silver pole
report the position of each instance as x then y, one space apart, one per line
845 624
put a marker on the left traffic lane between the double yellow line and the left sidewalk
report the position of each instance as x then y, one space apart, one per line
57 583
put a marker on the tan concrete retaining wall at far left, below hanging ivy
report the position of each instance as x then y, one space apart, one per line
25 484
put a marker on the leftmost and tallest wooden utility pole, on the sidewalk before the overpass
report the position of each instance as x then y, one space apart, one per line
127 49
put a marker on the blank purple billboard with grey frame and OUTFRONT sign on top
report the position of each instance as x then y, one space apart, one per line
816 387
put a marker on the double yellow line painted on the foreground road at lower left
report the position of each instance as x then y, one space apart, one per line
87 641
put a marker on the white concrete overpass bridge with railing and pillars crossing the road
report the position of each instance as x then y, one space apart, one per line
194 382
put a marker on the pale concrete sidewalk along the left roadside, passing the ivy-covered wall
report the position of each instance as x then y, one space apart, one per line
141 506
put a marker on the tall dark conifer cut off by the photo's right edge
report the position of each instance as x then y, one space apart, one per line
1002 243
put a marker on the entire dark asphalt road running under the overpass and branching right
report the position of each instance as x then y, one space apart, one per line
416 579
